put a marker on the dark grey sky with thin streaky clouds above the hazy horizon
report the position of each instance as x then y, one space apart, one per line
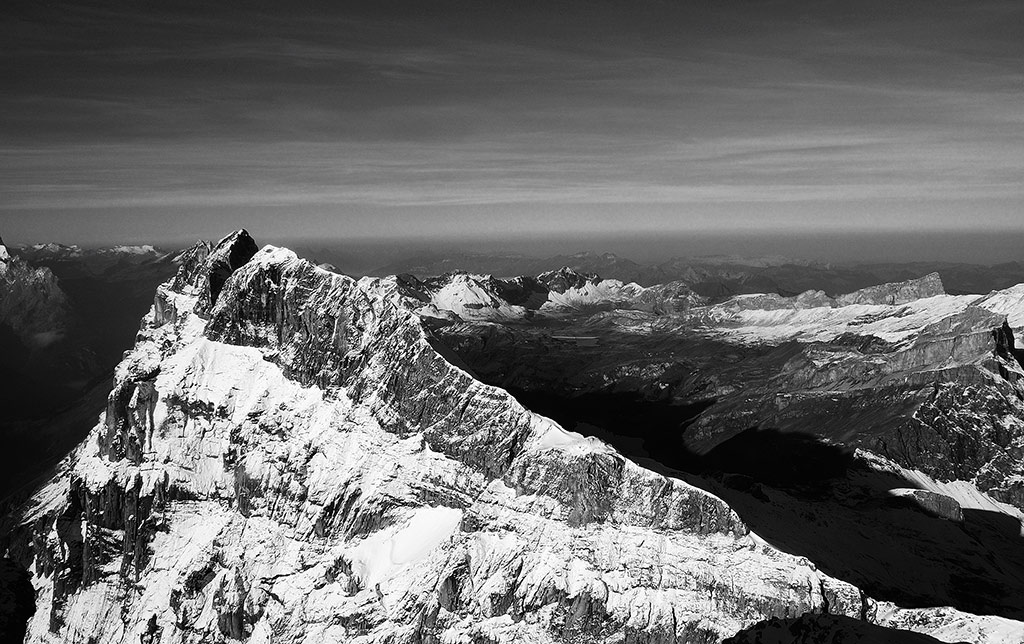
164 122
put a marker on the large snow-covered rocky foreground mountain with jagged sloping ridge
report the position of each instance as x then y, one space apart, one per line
295 458
